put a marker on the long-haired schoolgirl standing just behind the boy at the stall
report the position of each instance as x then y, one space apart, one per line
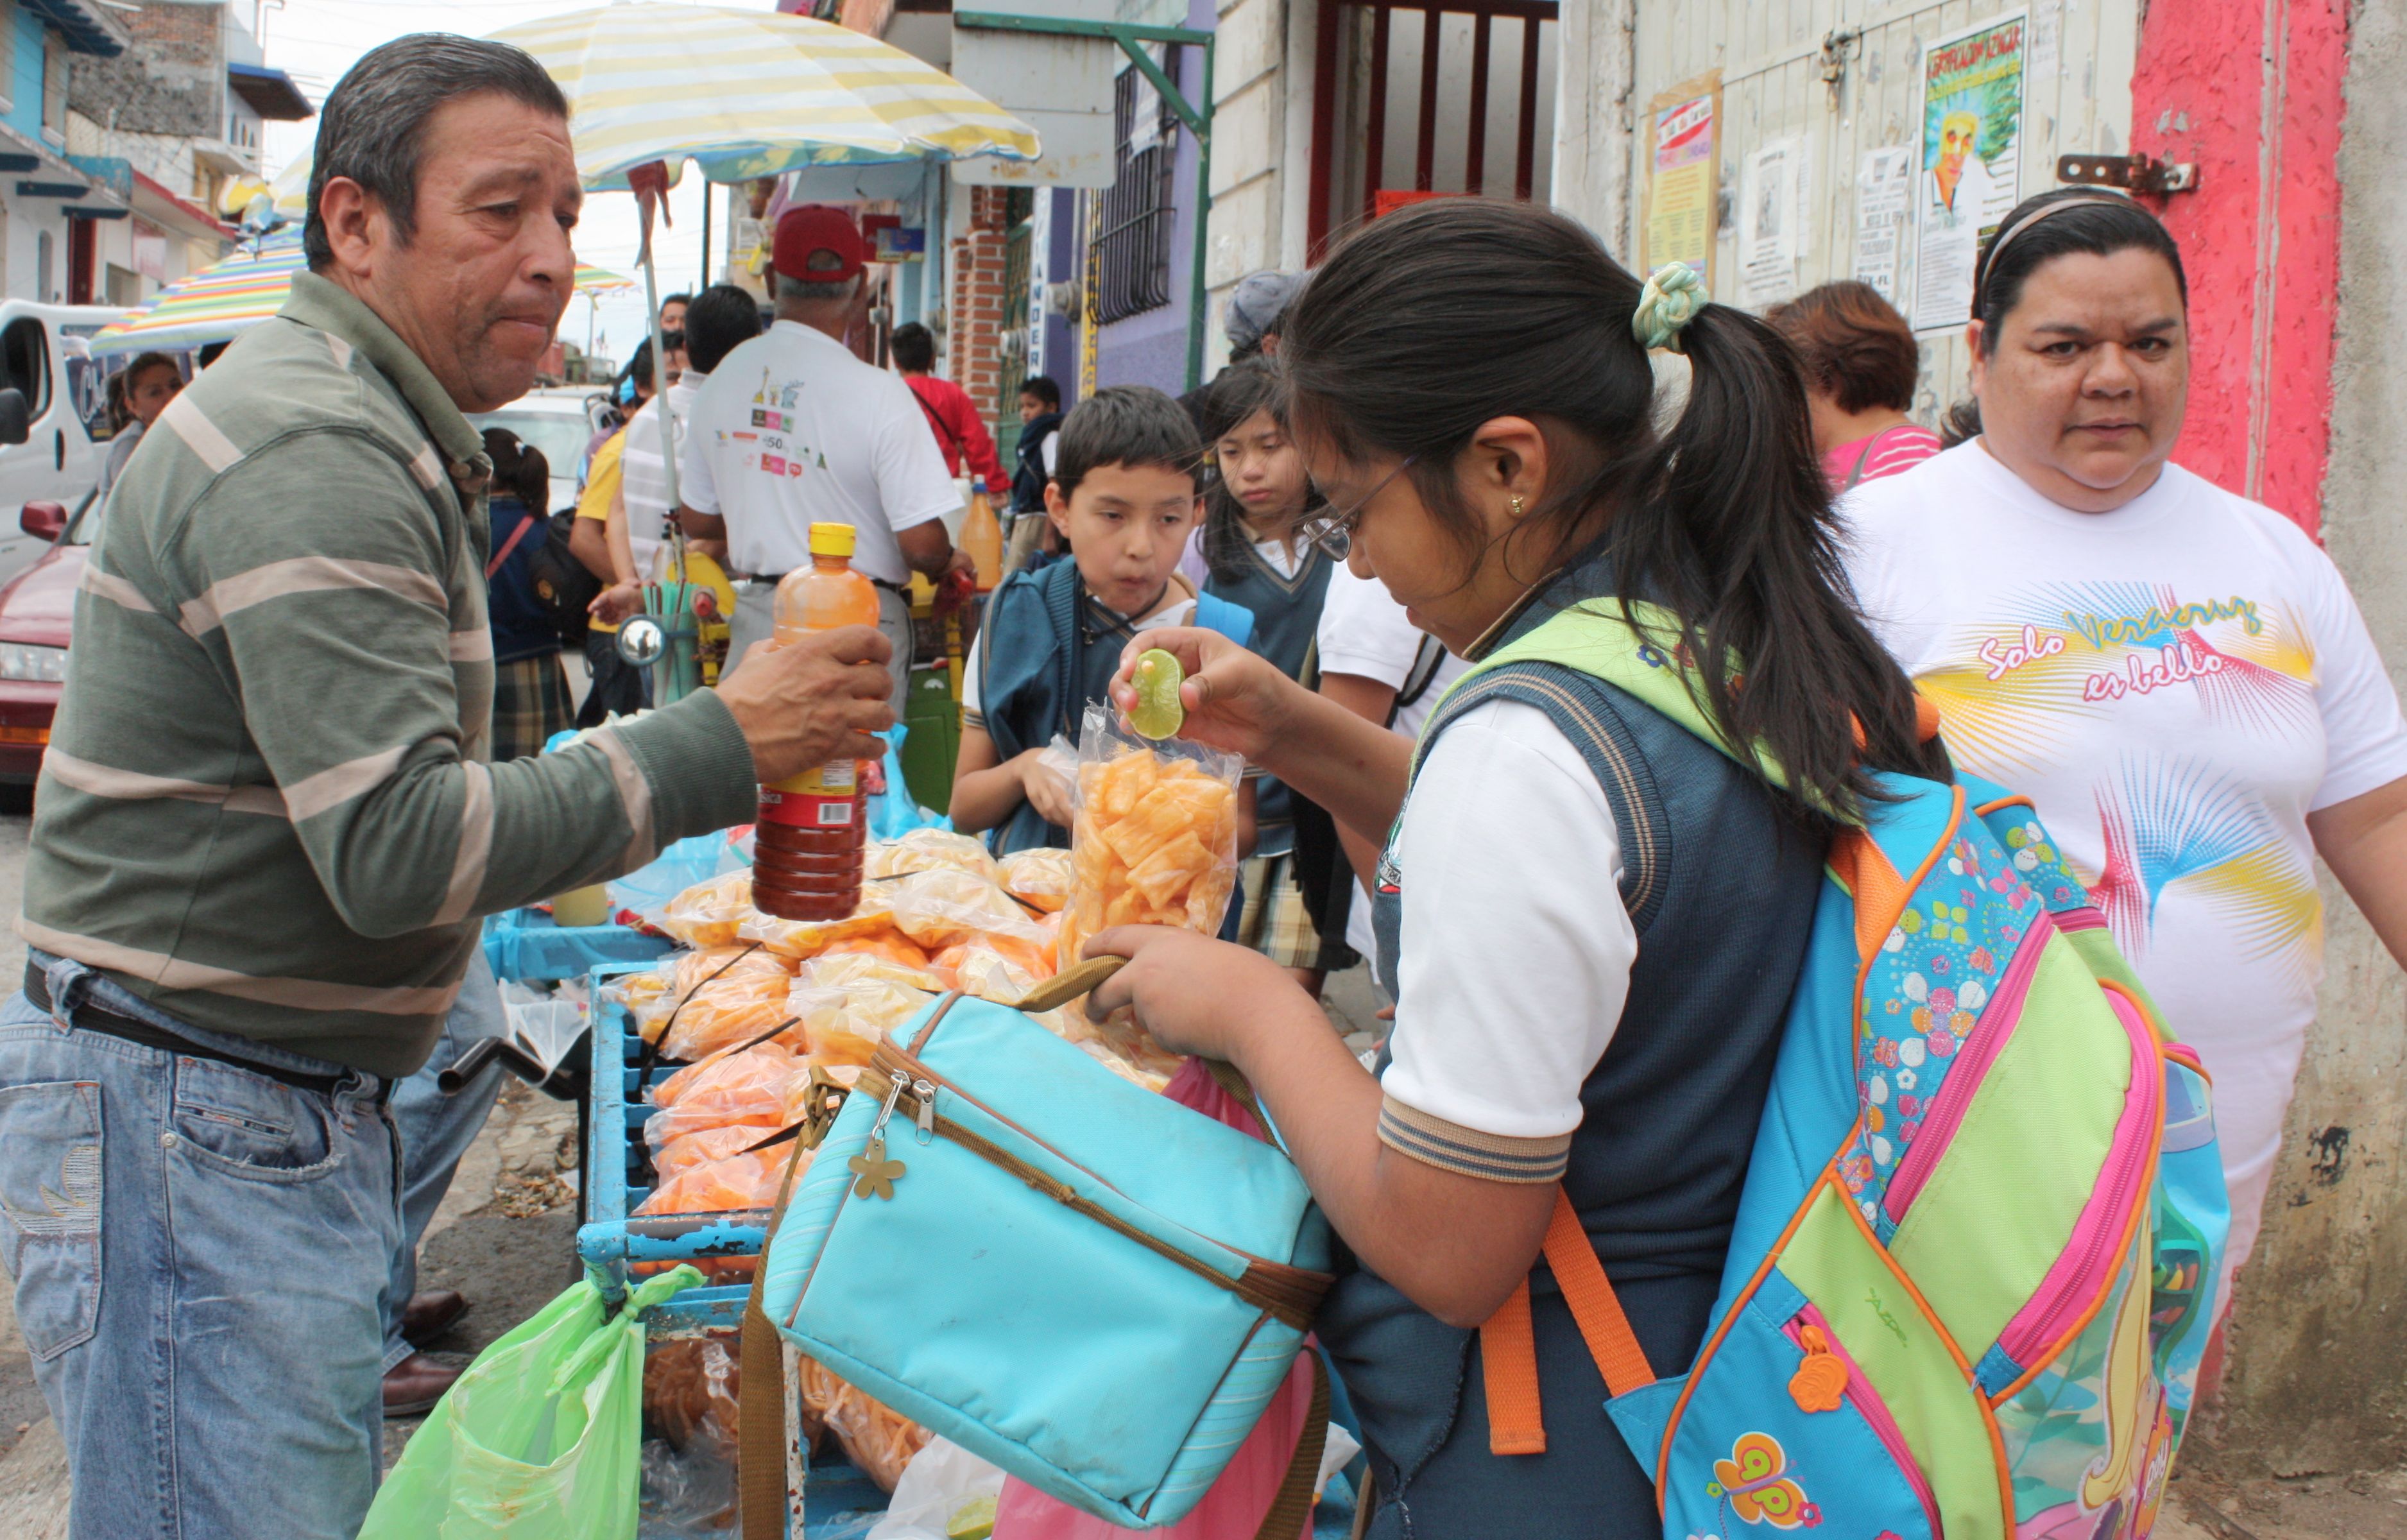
1253 557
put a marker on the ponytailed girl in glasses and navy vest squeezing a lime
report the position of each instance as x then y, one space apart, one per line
1491 456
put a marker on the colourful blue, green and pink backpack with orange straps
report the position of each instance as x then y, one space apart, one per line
1977 1252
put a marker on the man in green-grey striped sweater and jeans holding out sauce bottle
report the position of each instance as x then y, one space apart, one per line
268 827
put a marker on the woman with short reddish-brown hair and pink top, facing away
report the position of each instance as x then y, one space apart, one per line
1862 365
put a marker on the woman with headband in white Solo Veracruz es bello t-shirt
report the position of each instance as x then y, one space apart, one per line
2175 675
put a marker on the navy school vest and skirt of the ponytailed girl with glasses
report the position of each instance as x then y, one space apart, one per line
1720 889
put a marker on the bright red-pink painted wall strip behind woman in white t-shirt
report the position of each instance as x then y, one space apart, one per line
2252 95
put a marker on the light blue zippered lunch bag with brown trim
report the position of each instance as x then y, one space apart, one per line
1051 1267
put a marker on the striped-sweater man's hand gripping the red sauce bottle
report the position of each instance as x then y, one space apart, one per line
812 701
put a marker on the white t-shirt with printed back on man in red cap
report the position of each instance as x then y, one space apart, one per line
791 432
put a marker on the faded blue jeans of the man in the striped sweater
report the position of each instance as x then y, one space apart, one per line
201 1260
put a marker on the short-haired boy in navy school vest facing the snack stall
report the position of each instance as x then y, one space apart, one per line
1125 499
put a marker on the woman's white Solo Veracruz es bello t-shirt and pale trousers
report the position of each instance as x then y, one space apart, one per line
2177 685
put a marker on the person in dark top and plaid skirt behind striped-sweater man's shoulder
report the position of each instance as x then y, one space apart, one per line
531 687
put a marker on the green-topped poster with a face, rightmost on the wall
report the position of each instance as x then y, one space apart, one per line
1970 170
